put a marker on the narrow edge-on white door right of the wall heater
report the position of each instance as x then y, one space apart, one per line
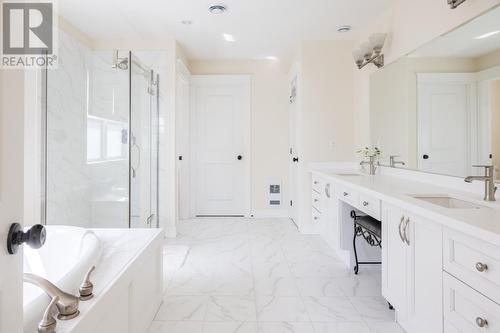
294 155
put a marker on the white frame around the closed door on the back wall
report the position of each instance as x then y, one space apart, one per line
211 80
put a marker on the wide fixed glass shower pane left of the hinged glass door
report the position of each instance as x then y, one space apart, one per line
85 138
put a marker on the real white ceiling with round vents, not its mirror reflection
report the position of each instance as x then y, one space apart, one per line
261 27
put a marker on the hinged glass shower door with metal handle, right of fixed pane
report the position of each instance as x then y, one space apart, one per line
143 145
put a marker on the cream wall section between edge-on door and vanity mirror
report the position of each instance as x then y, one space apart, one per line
326 121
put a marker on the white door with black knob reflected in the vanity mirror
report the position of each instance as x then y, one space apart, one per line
445 112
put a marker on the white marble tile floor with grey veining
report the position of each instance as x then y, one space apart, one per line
263 276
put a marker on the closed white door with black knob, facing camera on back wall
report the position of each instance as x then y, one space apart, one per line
221 138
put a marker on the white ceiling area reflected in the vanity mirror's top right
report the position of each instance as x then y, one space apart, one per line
462 41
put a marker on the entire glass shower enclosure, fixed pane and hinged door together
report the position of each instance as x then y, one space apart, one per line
101 140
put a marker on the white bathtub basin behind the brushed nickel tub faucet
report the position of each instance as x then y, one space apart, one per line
67 255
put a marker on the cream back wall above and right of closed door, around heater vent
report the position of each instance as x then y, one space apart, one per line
269 127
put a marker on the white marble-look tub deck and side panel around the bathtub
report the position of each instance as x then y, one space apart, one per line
128 284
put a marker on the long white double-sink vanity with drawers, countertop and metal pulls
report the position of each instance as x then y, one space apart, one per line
439 276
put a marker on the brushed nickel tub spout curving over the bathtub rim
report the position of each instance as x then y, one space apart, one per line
67 304
